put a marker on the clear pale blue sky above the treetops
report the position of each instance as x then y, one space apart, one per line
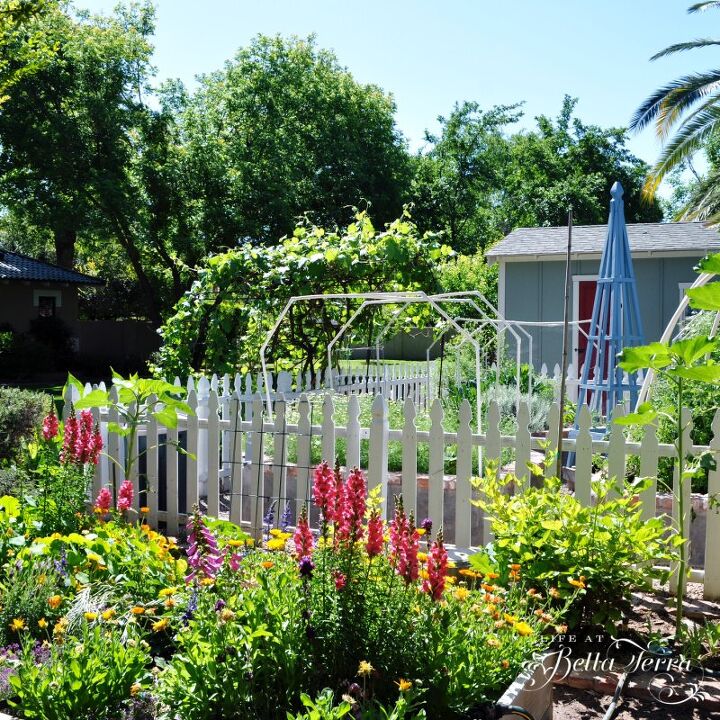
431 54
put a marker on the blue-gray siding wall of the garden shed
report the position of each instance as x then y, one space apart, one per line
534 291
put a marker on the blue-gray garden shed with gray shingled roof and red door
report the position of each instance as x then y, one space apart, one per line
532 271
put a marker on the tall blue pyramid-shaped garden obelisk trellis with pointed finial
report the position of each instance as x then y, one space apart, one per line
615 323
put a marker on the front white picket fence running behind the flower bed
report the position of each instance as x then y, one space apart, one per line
237 460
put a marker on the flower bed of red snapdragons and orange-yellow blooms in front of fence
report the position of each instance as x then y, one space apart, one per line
103 617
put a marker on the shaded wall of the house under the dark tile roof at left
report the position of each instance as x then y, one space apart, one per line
18 303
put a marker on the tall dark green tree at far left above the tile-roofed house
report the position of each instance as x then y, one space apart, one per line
69 130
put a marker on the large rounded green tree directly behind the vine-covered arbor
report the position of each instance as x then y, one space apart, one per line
283 130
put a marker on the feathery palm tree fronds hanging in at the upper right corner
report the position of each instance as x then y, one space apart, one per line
685 110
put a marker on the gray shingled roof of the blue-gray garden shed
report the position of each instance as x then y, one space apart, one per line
666 238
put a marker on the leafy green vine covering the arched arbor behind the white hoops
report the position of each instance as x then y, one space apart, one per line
222 320
